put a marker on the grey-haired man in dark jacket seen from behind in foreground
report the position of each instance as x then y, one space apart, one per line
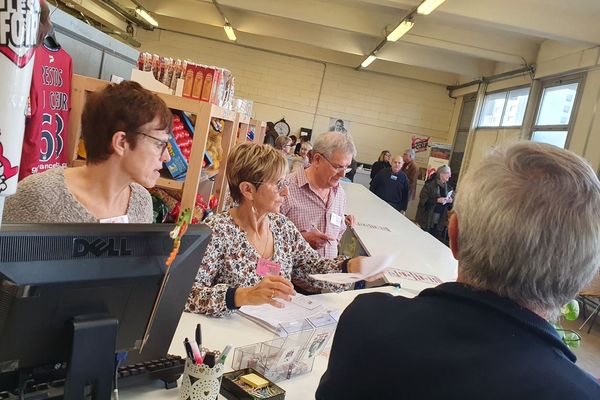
486 336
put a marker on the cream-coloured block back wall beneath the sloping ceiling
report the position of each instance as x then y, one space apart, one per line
384 111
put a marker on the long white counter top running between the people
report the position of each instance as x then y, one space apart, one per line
415 250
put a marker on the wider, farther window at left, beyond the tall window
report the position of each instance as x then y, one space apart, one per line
504 108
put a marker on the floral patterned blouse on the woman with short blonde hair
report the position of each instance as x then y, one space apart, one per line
230 262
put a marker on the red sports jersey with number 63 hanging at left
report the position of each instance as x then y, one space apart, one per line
45 141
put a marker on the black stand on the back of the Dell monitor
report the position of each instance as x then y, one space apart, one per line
91 368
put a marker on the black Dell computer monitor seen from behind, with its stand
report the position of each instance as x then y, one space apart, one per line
69 292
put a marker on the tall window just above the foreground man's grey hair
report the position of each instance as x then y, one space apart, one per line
554 113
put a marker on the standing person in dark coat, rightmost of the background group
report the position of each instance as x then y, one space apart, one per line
434 201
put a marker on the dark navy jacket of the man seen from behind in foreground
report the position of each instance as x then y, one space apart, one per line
450 342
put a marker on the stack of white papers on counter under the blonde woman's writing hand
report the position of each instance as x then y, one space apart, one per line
298 309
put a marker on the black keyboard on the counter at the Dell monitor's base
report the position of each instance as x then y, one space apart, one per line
167 369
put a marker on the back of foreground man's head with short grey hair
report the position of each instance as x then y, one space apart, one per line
529 225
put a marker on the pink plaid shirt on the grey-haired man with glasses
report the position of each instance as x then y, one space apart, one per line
308 211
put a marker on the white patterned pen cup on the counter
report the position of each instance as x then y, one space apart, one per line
200 382
